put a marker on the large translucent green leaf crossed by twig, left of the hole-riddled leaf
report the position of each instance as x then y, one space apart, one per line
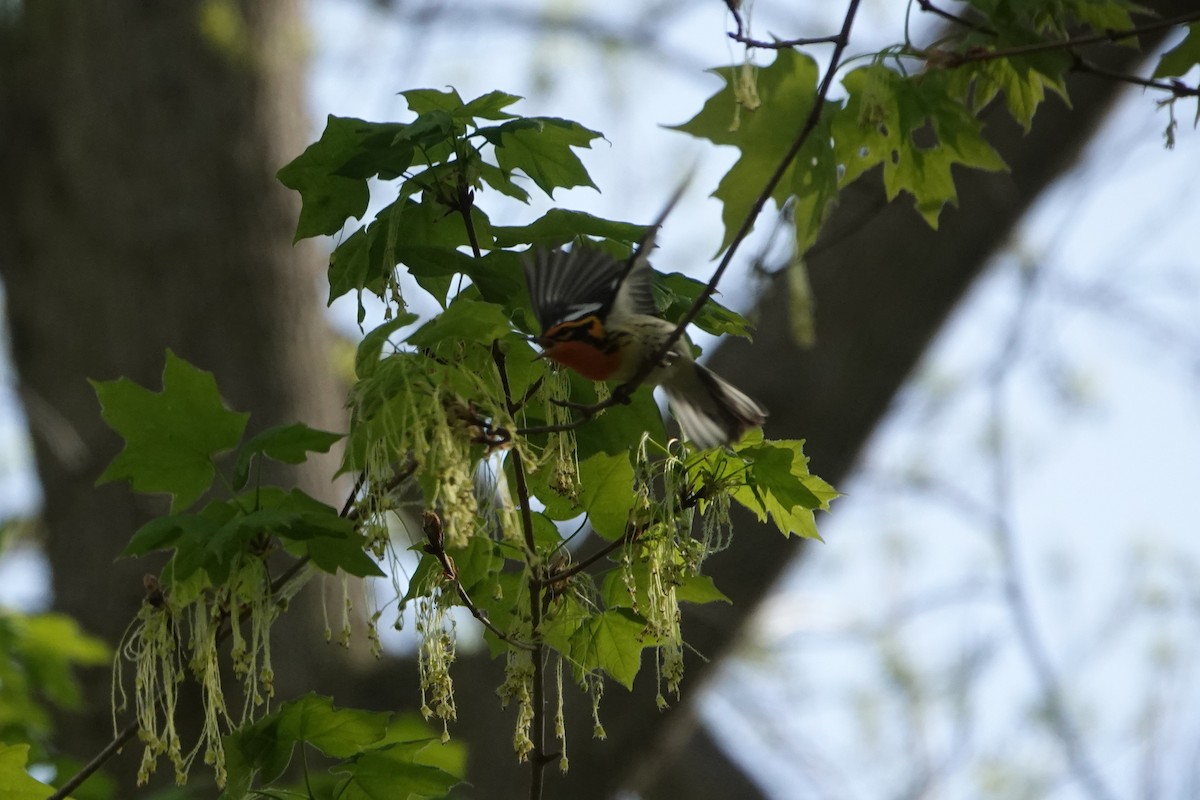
787 91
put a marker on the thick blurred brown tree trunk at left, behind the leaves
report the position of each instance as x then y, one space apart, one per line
141 213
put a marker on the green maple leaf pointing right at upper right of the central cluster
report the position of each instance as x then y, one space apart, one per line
541 147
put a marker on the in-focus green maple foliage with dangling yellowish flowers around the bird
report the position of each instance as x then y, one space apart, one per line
506 453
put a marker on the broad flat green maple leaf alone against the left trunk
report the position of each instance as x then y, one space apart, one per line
171 437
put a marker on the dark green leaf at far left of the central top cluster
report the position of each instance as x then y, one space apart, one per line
328 199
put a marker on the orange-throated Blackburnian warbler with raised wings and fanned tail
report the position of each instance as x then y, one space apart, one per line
598 317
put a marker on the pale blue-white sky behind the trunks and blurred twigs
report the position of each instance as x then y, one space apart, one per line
1055 423
